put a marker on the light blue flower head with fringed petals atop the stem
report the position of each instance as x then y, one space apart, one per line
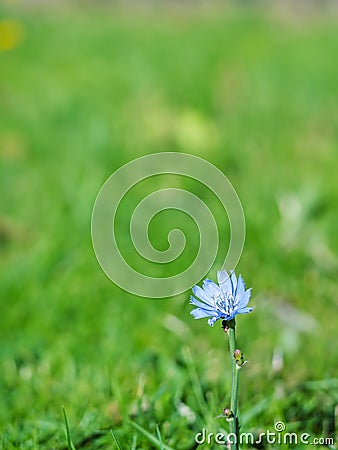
221 301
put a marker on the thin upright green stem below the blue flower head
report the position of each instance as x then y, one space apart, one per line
234 391
